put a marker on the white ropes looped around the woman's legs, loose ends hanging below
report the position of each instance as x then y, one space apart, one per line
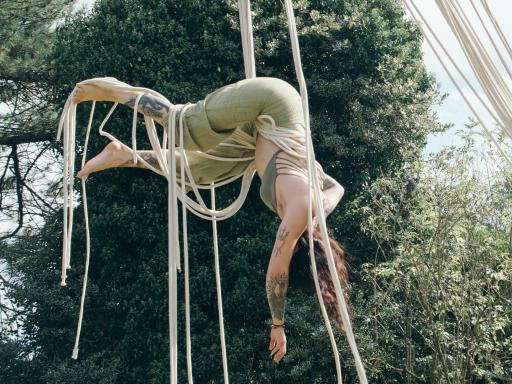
167 164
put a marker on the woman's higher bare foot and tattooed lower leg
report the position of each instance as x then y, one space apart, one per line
153 106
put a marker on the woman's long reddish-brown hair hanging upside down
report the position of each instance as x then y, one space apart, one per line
301 256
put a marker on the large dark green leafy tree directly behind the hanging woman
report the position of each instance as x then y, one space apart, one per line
369 96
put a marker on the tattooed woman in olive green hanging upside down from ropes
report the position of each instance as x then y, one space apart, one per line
245 108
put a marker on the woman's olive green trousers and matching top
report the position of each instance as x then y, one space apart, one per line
214 126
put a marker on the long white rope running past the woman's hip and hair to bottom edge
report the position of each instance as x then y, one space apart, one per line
313 179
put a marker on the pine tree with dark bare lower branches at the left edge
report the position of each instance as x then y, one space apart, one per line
27 119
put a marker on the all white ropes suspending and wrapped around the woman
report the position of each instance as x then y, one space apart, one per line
179 186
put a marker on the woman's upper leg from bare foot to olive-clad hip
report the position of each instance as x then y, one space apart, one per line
212 120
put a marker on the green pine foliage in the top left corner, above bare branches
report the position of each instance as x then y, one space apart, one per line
26 41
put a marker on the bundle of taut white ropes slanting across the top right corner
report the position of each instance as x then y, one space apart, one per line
496 97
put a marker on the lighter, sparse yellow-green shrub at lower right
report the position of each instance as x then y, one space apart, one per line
438 309
